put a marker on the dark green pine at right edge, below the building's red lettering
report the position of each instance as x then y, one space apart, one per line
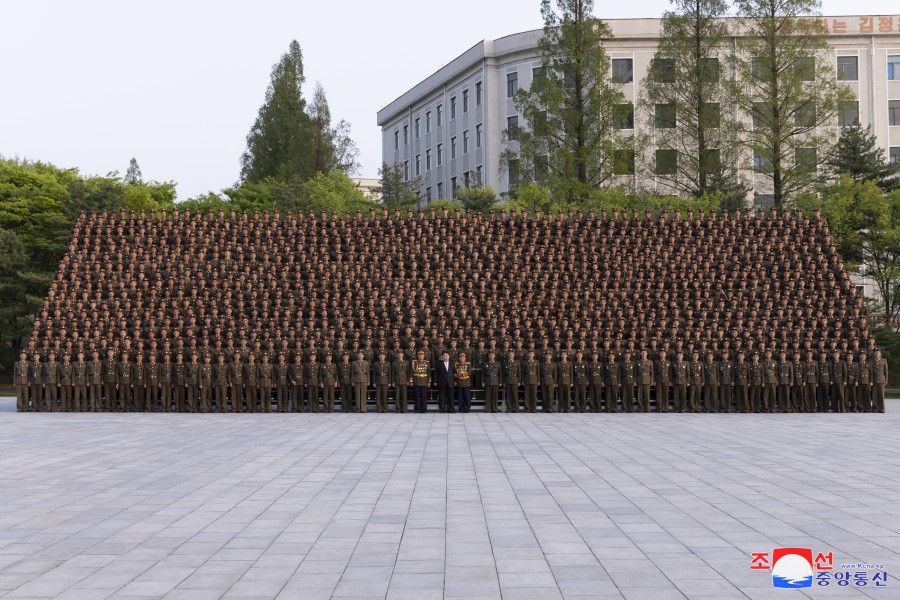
858 155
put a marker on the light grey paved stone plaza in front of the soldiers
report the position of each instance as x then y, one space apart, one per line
425 507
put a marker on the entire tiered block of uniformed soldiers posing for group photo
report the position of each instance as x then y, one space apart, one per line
257 312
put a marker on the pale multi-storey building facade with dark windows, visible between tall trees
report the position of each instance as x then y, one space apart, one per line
448 129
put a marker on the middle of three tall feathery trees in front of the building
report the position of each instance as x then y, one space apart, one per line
691 114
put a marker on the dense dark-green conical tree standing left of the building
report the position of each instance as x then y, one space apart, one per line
278 143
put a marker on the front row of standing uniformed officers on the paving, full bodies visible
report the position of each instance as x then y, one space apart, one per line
835 383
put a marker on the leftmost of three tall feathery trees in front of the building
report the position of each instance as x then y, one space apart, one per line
572 143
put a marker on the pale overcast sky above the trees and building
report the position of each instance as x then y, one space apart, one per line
177 83
